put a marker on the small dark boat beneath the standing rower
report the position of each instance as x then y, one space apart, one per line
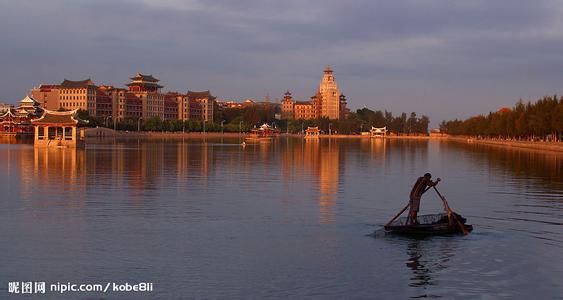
437 224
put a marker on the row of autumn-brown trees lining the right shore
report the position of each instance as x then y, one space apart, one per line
542 120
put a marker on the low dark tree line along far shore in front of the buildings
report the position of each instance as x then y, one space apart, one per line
246 118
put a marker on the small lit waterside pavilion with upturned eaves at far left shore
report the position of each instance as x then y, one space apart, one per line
58 129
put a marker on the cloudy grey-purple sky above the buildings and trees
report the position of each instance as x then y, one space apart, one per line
445 59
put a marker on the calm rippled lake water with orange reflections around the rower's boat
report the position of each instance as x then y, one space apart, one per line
284 219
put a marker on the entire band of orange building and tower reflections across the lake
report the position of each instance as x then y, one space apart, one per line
136 170
